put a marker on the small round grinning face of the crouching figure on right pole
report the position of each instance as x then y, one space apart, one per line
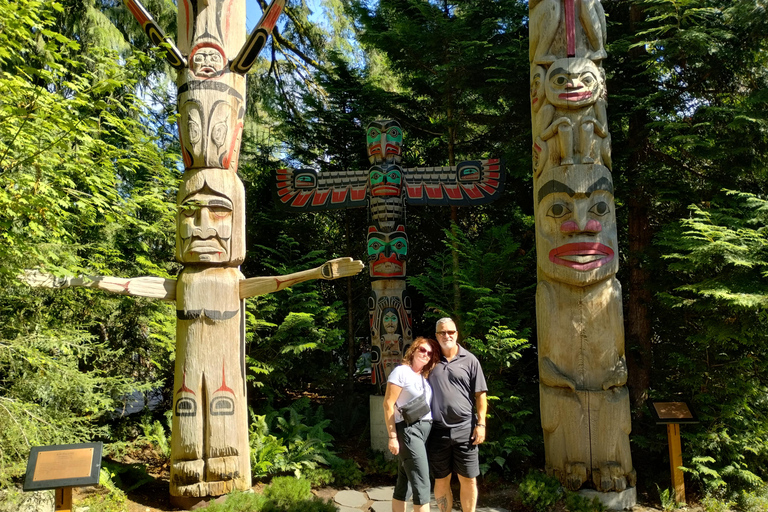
573 83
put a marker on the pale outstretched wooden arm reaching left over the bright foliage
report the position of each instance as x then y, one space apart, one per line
152 287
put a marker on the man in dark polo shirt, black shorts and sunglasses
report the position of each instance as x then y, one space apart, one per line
458 387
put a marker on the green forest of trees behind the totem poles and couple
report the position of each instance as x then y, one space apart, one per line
89 167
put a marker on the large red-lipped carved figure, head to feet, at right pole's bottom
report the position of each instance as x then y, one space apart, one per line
582 366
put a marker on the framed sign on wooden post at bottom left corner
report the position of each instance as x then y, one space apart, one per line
62 467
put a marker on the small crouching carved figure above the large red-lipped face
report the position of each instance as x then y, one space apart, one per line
575 114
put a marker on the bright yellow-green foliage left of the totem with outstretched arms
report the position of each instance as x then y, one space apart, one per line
84 188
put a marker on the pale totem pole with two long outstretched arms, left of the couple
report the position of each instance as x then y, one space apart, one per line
210 451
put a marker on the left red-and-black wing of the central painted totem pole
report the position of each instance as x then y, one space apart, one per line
307 190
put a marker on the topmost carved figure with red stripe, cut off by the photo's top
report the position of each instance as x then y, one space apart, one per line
554 33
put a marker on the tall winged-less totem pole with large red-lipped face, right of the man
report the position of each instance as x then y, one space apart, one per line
584 400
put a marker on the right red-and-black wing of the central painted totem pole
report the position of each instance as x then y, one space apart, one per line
468 183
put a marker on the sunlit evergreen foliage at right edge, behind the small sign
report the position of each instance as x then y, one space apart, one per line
718 257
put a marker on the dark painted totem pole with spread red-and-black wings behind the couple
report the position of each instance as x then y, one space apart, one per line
386 188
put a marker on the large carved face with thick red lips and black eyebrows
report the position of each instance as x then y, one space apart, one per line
576 236
